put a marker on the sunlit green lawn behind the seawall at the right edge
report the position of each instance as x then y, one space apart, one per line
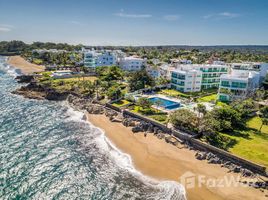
254 144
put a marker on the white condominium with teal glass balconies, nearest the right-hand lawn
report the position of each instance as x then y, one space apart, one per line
238 84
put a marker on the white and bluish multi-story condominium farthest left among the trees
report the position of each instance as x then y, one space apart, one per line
95 59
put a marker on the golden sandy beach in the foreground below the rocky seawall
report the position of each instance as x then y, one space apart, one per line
159 160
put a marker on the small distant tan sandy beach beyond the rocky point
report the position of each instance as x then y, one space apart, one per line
24 66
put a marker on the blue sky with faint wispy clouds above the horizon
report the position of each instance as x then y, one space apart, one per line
136 22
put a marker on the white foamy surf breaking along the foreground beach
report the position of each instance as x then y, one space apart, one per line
168 190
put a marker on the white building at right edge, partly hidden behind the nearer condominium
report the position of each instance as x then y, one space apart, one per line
252 66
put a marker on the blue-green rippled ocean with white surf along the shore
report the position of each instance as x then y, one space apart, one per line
48 152
